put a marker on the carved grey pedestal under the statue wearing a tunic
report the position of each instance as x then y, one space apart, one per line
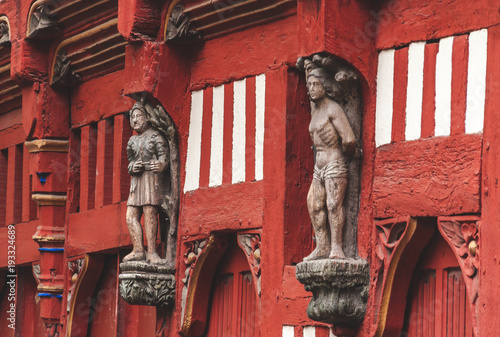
145 284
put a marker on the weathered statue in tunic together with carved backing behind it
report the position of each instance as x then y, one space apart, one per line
149 155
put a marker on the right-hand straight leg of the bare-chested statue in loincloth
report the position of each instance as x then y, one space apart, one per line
335 193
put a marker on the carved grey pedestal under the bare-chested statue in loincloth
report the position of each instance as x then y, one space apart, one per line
340 290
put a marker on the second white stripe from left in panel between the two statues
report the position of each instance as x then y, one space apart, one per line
217 141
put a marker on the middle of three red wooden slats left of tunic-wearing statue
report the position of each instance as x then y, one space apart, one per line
104 163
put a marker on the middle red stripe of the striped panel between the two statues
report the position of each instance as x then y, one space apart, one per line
228 134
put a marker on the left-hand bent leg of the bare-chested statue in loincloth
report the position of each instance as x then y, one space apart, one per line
317 211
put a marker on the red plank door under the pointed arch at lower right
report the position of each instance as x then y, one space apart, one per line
437 302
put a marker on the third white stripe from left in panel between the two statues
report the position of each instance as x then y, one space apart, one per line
239 132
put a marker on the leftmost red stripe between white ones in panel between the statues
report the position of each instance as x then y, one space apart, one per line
206 136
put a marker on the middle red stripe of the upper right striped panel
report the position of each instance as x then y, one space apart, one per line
429 91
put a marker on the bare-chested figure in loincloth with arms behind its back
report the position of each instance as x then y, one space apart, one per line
334 140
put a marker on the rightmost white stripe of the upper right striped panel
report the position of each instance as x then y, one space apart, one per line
476 81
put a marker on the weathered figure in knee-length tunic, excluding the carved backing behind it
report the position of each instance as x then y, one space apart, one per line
147 153
